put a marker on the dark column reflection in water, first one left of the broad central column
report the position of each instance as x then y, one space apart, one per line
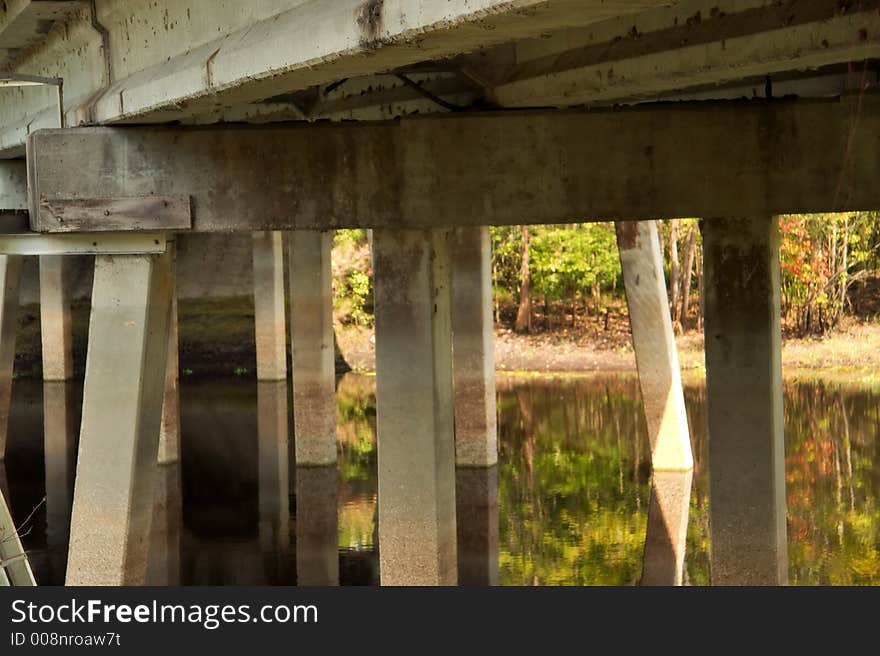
317 526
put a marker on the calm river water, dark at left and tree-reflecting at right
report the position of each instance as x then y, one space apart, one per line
572 488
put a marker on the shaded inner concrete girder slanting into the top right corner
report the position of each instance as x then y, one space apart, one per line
686 46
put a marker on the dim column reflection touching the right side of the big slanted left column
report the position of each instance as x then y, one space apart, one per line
163 565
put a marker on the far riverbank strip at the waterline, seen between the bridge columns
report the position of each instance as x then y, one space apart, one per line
217 339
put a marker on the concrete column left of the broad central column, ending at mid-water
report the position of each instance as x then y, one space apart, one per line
311 338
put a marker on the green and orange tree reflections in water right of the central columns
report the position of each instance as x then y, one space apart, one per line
571 480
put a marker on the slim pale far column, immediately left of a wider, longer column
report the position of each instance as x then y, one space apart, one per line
269 322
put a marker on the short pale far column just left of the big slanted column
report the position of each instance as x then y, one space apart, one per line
55 322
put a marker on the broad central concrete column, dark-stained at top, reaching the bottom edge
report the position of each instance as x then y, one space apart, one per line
416 449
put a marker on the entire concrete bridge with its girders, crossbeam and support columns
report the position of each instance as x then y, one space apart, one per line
126 125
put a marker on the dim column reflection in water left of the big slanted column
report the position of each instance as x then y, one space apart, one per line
59 443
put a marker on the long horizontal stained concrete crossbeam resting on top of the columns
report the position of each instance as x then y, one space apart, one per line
666 160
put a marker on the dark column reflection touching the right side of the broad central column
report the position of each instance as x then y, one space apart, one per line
476 493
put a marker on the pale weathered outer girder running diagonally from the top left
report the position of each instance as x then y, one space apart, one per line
183 58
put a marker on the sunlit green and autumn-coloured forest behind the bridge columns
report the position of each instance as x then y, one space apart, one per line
567 277
